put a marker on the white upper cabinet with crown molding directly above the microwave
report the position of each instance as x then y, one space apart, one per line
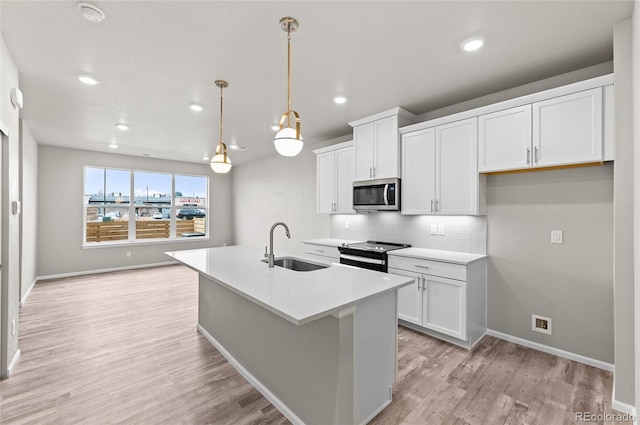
377 144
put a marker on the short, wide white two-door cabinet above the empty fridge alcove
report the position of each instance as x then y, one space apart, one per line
562 130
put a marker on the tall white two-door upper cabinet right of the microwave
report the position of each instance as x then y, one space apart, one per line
440 171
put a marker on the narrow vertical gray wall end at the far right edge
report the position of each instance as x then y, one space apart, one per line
624 386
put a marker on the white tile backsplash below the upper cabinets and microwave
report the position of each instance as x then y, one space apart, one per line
462 233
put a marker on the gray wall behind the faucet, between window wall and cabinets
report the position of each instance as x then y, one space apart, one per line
279 189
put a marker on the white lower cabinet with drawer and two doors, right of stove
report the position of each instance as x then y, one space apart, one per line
446 300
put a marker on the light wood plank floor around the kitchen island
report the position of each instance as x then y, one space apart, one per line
122 348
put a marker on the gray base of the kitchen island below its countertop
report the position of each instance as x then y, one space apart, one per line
311 368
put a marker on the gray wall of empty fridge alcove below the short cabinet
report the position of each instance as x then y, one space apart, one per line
572 283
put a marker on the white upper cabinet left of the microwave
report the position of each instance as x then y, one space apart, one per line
335 176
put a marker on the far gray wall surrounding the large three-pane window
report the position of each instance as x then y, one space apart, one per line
60 186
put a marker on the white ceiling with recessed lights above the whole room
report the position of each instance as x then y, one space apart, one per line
154 58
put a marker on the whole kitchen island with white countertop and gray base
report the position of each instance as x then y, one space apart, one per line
319 345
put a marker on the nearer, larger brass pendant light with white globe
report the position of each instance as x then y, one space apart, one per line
288 141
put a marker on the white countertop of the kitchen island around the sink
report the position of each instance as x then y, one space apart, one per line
299 297
